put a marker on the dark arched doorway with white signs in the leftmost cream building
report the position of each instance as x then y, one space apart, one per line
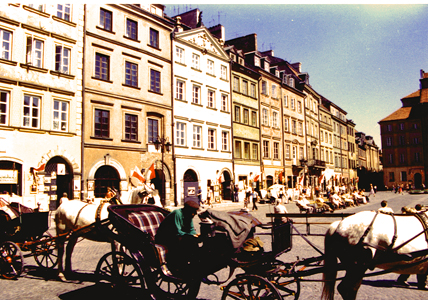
58 180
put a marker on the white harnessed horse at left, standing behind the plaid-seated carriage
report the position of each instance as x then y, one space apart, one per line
72 215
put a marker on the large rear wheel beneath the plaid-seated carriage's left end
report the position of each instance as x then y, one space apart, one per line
121 273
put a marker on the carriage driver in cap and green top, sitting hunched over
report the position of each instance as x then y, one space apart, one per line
178 234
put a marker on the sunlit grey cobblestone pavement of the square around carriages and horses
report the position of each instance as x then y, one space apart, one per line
36 284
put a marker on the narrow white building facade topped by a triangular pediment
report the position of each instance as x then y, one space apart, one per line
202 111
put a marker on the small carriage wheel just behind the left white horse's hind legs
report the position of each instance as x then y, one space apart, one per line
46 253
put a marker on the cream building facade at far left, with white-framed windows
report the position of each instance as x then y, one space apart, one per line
41 102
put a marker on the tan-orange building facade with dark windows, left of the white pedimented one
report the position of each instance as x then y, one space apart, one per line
127 98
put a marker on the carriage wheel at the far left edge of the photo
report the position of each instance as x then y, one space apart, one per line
12 261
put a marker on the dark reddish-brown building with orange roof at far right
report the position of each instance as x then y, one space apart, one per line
404 140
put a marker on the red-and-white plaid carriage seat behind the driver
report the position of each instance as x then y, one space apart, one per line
149 222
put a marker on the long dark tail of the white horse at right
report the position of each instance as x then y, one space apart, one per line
330 264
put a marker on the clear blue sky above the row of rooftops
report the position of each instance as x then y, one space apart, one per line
363 58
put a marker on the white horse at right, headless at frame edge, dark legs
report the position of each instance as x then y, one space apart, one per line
372 239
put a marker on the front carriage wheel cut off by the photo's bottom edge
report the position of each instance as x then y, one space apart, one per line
250 287
